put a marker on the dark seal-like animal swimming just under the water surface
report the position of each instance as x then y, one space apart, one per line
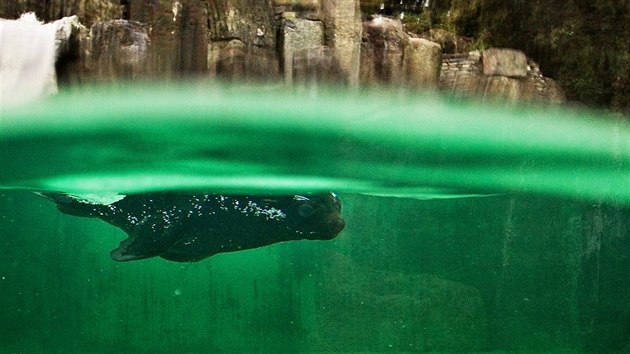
185 227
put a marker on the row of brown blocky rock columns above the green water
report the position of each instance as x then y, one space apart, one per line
291 41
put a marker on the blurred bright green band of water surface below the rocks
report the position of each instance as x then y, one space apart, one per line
135 139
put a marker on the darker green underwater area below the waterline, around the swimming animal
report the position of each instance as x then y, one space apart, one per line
470 274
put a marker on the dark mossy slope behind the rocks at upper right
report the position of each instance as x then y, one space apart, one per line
584 45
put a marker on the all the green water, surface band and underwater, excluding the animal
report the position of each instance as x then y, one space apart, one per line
469 228
